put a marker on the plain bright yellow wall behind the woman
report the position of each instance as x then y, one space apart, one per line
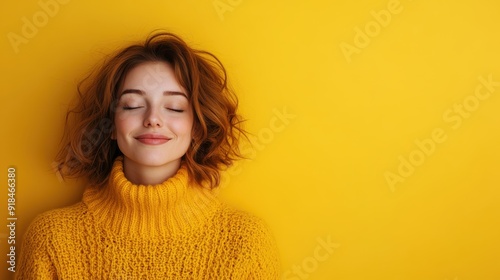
321 175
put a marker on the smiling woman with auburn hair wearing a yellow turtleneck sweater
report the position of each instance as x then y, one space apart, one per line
153 128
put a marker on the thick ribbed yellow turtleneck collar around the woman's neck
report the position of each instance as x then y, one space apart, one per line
137 210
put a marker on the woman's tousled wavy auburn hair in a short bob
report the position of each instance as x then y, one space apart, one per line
87 149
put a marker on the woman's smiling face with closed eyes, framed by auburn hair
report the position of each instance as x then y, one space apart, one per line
153 120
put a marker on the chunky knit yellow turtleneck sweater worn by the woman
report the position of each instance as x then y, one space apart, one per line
165 231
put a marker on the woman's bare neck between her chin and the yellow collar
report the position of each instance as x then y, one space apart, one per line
140 174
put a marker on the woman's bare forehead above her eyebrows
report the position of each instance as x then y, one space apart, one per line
151 77
